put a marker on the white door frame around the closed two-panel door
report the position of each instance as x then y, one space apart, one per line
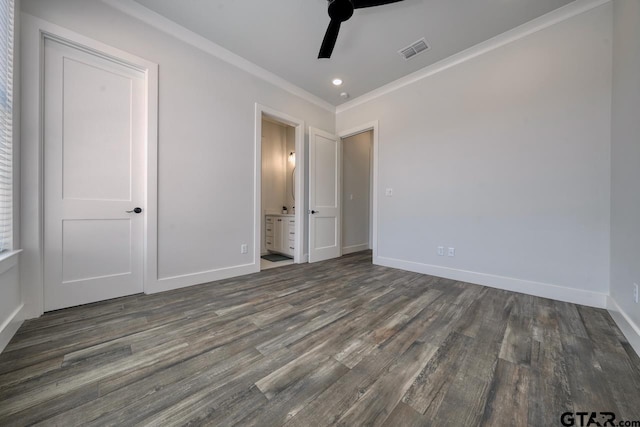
34 31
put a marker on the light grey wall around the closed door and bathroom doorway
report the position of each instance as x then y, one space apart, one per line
206 144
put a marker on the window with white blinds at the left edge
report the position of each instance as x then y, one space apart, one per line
6 125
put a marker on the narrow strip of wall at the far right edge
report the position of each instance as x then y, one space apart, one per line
625 153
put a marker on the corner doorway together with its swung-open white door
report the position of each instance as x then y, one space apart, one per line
342 192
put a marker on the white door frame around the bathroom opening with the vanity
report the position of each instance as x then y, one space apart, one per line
299 127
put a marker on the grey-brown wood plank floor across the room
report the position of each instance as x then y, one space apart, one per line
339 342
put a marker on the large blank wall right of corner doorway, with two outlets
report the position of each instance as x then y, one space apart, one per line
505 157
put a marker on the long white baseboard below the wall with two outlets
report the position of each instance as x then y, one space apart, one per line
544 290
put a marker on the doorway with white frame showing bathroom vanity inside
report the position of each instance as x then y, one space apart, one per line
279 186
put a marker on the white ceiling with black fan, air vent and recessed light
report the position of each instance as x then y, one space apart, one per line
284 36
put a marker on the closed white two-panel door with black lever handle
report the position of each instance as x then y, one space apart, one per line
94 133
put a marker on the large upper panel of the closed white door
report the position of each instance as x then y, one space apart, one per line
97 126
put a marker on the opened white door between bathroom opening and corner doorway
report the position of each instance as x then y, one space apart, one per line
325 167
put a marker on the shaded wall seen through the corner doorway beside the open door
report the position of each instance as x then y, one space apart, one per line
356 186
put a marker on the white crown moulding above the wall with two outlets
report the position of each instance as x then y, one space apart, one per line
561 14
